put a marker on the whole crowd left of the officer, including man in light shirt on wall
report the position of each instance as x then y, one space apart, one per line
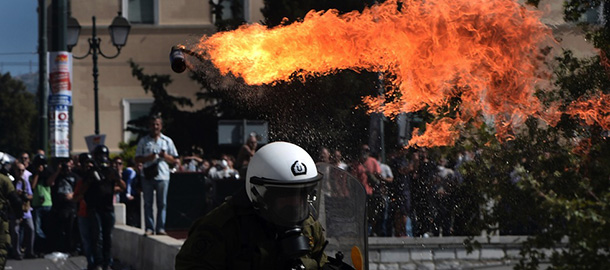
68 203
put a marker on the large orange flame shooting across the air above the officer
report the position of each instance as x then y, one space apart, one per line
484 51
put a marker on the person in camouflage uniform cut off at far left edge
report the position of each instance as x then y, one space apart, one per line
6 190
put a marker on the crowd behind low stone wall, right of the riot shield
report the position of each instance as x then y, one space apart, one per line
410 194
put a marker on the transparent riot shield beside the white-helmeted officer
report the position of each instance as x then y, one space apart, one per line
341 209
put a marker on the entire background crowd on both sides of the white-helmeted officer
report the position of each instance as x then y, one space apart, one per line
68 208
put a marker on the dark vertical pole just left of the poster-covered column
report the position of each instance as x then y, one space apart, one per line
43 90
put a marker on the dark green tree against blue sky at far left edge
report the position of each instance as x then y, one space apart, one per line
17 116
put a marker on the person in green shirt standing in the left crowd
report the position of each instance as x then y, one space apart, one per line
41 202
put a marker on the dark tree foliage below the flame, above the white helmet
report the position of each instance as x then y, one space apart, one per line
321 111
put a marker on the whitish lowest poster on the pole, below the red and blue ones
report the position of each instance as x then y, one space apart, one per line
59 129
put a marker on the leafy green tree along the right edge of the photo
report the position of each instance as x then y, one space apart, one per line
553 181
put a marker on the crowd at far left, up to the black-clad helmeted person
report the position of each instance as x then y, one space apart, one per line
66 206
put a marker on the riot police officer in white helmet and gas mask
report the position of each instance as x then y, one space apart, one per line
266 225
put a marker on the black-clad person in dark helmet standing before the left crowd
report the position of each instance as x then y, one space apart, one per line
98 190
